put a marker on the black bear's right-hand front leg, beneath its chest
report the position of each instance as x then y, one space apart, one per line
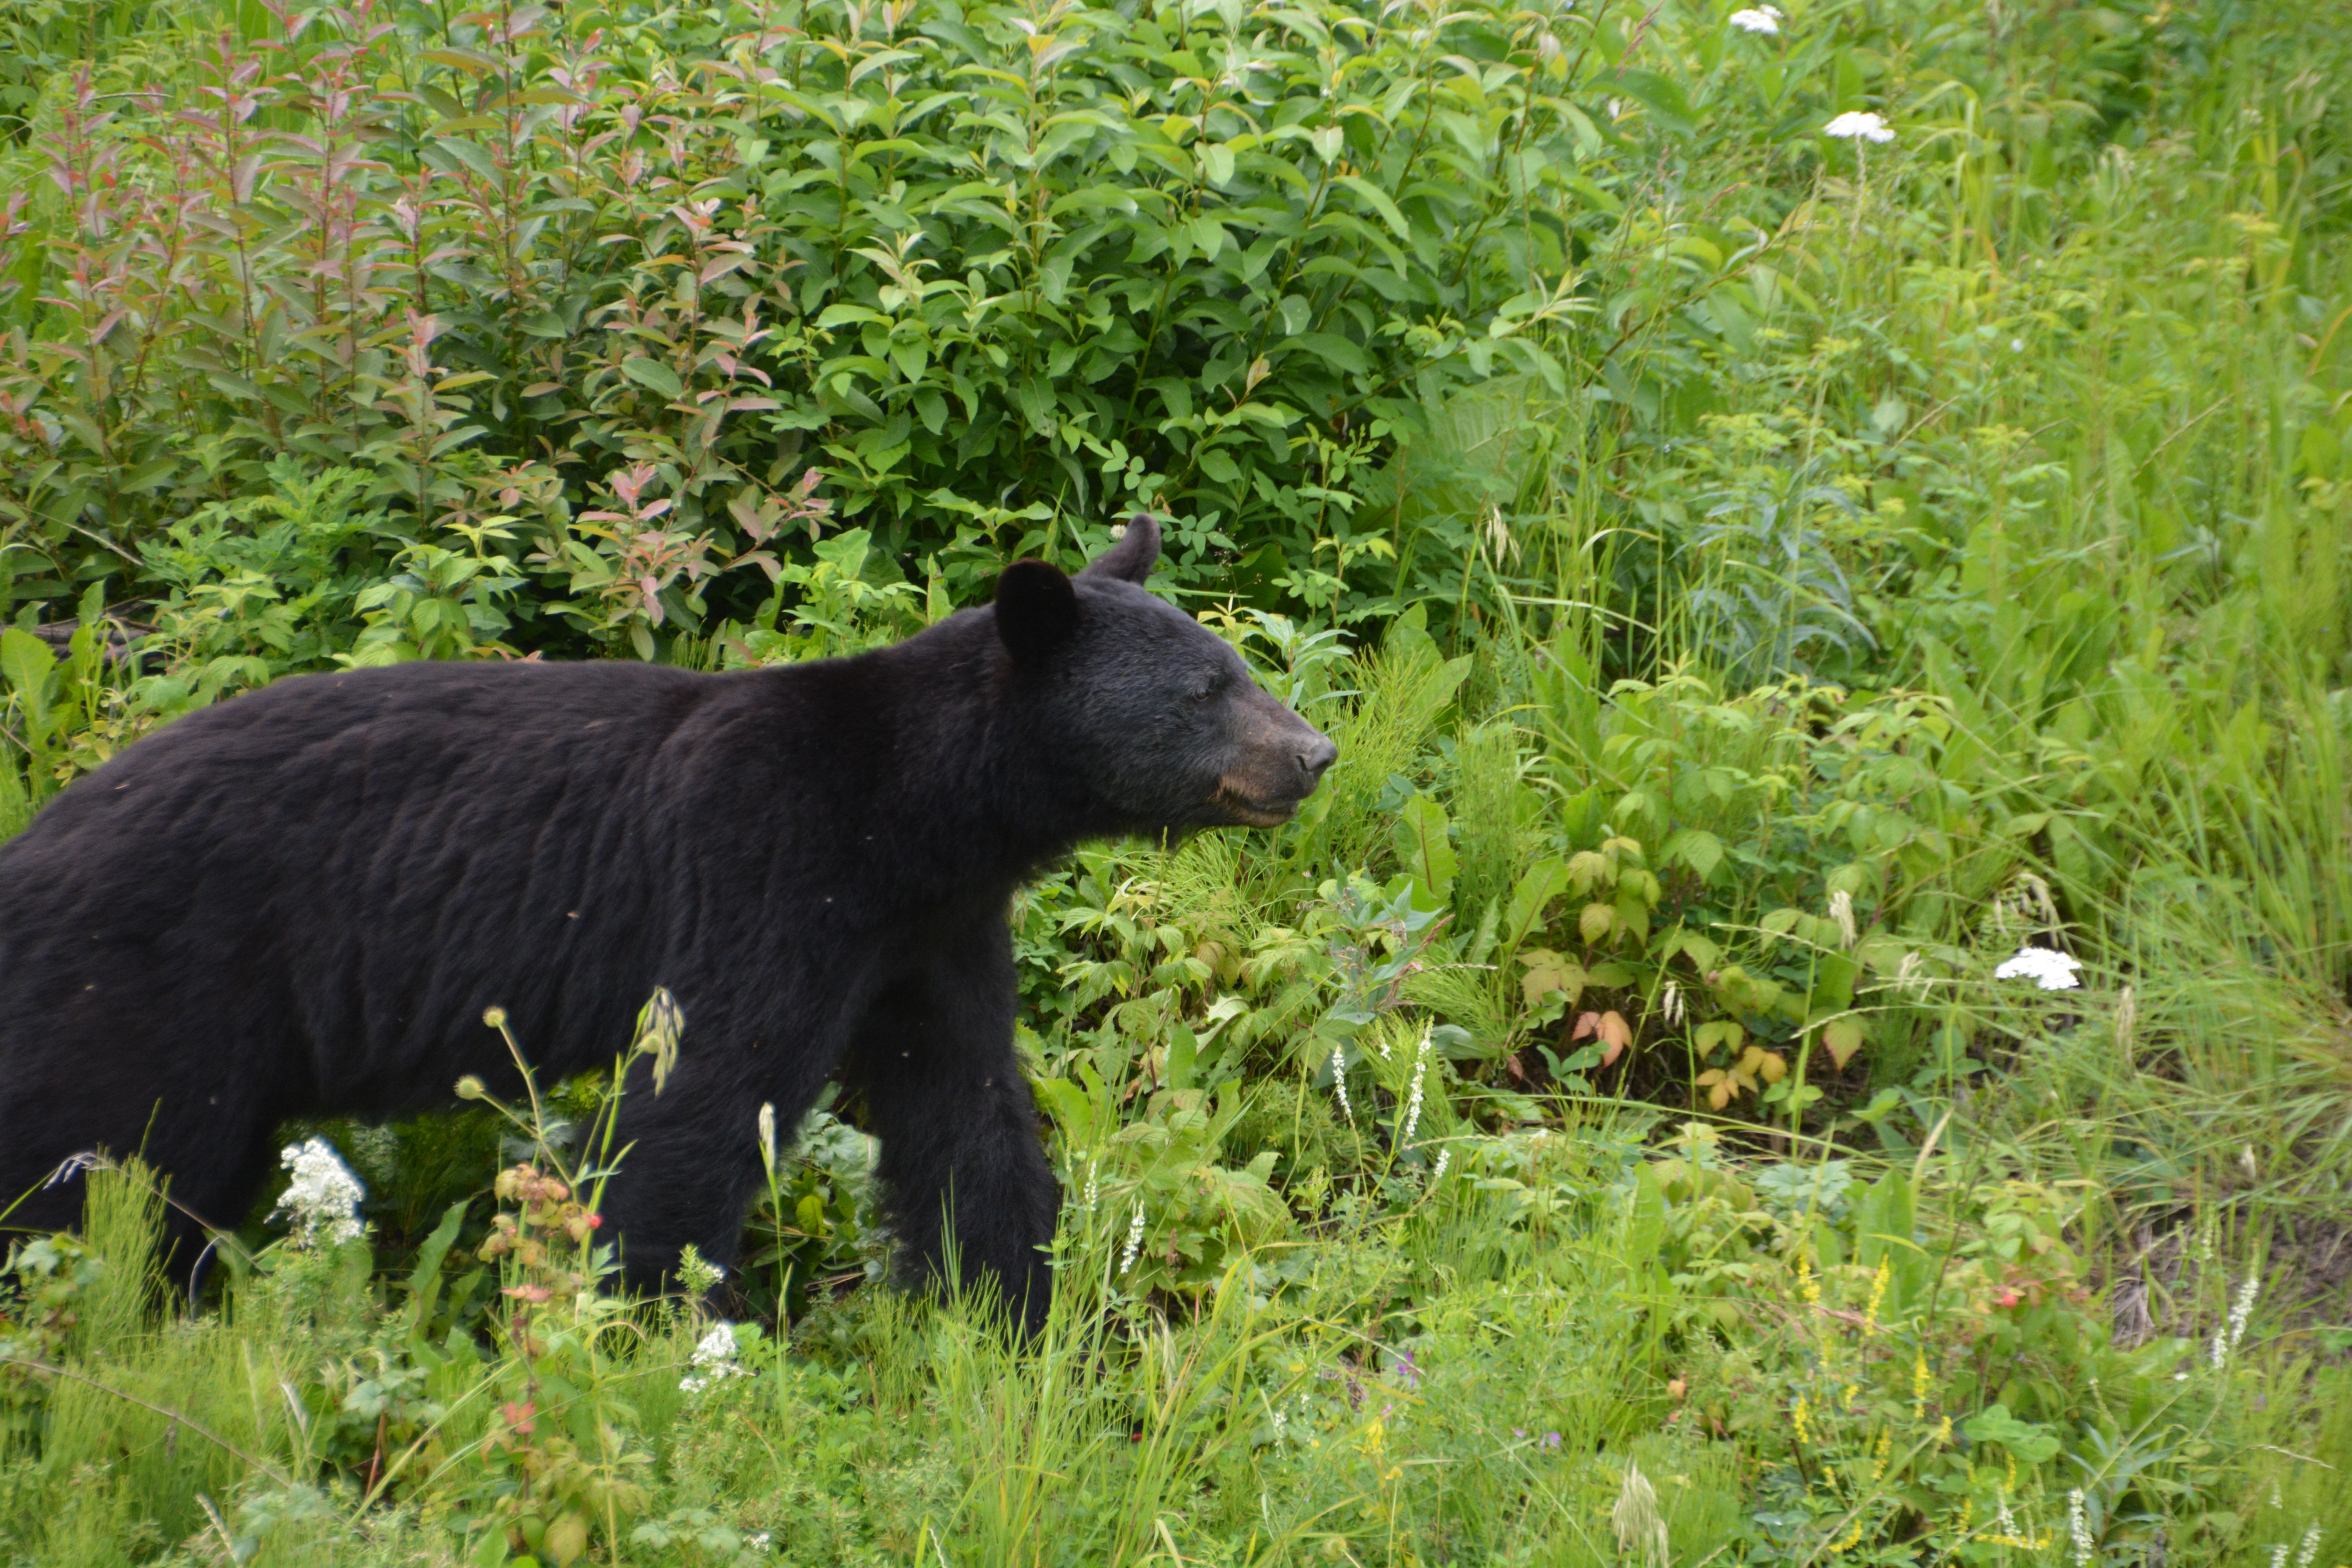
961 1155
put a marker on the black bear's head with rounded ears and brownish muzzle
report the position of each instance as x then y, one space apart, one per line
1147 709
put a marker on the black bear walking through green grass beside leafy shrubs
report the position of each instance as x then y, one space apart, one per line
305 899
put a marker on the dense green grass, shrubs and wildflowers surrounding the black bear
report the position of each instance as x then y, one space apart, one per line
1758 579
